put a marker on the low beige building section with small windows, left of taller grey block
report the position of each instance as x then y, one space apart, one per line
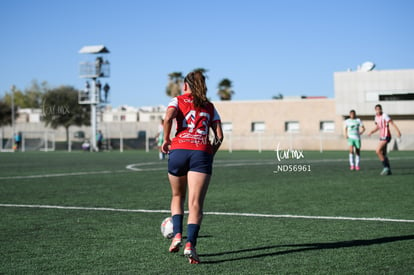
310 124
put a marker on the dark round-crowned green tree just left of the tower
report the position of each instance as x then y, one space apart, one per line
61 108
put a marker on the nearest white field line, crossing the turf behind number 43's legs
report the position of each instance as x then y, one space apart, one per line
207 213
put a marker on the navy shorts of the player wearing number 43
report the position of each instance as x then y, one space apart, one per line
180 161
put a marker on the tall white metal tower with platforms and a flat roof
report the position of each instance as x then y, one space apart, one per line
93 70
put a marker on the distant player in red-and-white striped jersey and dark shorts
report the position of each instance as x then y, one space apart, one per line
382 122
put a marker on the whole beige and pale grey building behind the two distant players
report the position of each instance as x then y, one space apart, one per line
318 123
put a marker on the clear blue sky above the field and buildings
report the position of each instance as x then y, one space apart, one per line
265 47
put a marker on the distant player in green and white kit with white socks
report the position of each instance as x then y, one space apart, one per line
353 131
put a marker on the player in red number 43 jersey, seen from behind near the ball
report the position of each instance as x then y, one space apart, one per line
190 157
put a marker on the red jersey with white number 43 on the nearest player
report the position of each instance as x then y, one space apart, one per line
193 124
